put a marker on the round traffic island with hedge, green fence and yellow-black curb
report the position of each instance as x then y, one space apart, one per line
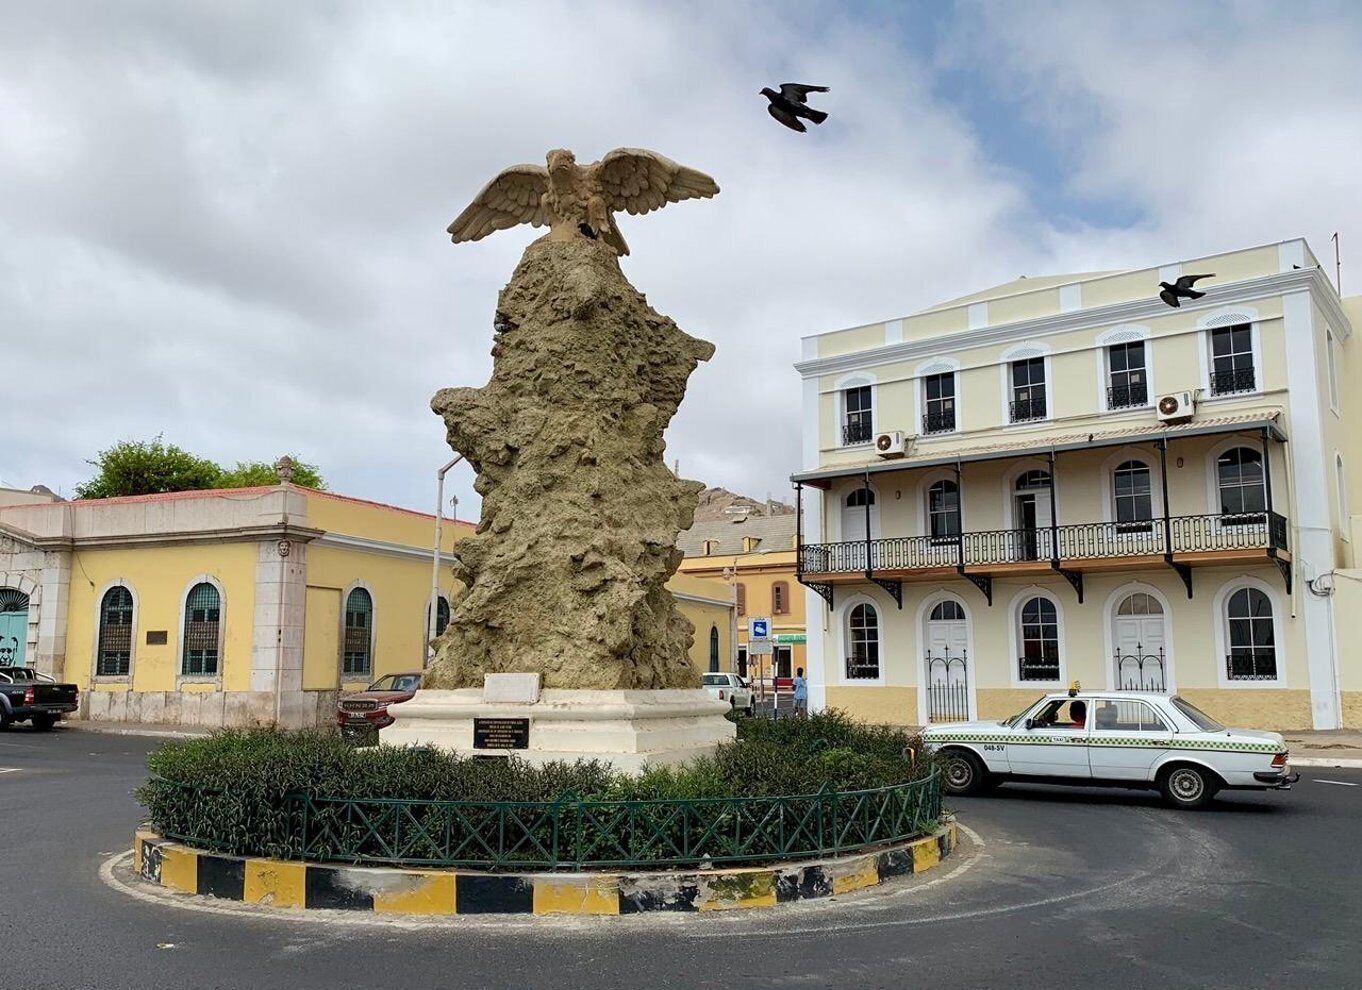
792 811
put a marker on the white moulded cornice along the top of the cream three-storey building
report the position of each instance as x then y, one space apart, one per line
1135 311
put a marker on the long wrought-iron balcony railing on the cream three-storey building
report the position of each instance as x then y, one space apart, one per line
1075 543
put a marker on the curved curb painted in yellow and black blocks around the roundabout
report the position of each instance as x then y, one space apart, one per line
394 891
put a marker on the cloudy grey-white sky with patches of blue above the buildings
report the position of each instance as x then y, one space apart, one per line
225 221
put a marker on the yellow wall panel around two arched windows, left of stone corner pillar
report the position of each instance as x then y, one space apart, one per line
160 579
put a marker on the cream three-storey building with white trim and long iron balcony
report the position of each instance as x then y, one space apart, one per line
1066 479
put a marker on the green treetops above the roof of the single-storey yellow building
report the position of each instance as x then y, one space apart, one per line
152 466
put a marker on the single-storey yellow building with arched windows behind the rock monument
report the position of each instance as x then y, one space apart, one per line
249 607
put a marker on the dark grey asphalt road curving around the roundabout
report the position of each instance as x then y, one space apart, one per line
1070 889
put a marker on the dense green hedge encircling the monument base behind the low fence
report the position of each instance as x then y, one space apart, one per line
313 796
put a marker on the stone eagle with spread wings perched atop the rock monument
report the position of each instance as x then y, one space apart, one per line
581 202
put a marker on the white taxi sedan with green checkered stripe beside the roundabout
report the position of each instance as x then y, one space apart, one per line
1112 739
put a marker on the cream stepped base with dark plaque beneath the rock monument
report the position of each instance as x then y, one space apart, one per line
626 729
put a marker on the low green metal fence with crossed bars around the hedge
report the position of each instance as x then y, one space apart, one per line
571 834
